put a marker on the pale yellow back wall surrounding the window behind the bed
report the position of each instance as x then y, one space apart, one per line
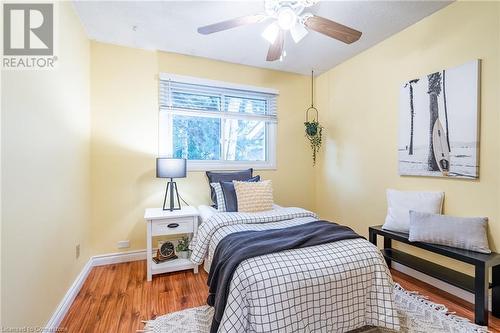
125 138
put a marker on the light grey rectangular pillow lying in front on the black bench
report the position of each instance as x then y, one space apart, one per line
467 233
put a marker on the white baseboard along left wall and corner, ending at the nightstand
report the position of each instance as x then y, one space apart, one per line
99 260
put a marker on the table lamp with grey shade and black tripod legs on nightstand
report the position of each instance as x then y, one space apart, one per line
171 168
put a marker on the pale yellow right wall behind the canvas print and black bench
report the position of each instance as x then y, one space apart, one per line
359 101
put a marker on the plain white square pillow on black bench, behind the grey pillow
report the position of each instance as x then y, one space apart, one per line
399 204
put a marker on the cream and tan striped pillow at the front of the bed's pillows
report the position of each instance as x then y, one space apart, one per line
254 197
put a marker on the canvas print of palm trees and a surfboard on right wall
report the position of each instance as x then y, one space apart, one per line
452 96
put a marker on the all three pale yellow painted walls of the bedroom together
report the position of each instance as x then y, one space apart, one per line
95 120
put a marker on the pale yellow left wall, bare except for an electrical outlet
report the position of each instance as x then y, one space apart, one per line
45 174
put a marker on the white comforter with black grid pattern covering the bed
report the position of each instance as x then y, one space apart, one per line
335 287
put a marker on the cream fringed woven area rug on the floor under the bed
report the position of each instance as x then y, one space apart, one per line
416 315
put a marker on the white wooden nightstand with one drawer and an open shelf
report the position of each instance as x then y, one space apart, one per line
169 223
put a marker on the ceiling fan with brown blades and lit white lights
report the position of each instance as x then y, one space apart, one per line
287 15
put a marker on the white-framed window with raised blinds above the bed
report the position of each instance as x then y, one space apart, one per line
217 125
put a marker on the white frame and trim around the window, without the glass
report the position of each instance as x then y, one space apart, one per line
165 126
